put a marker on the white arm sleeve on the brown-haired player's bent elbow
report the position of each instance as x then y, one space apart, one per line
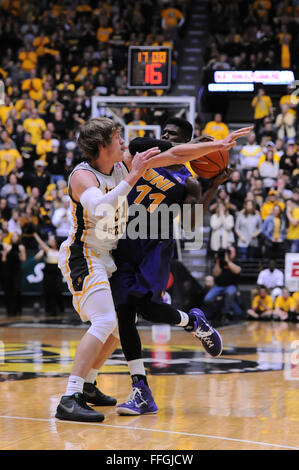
96 203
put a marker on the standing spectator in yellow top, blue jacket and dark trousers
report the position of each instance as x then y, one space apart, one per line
274 232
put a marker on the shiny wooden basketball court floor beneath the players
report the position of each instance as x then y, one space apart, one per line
246 399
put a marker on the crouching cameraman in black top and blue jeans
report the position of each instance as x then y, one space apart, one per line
226 274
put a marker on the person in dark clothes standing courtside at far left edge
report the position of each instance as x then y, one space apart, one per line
12 257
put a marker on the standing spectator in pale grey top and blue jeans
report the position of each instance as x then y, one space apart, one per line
248 228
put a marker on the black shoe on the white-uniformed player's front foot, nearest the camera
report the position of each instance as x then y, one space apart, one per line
74 408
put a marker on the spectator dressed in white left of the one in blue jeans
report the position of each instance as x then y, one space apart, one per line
222 224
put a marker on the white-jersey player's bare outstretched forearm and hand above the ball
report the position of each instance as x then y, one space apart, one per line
186 152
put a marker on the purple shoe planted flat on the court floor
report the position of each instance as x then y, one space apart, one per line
139 402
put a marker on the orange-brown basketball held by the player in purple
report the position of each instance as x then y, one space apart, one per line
211 165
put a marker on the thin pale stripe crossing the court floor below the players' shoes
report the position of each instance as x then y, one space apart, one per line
134 428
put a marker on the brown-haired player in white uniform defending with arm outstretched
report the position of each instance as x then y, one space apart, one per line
96 188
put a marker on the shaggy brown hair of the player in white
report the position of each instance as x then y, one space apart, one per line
95 132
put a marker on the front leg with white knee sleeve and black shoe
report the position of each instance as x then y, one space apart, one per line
98 308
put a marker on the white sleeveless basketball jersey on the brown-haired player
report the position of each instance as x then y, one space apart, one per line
84 226
